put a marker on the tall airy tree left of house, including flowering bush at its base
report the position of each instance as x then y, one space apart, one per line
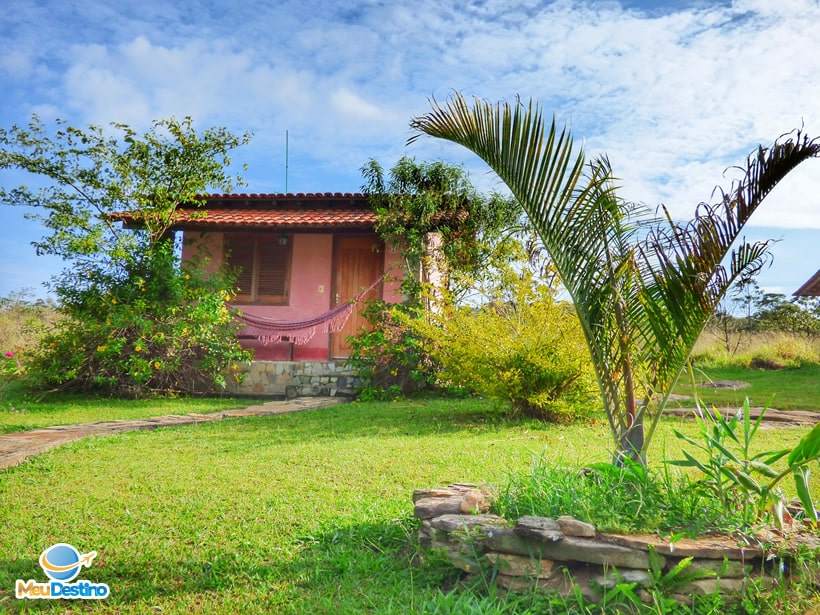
134 319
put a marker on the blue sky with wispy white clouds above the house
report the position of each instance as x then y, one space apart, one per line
673 92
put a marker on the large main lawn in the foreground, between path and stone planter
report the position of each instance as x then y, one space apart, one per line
298 513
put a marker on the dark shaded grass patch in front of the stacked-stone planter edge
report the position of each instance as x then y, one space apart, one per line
379 567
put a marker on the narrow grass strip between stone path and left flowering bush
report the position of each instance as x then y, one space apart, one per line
20 410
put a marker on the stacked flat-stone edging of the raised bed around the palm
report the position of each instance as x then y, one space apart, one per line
557 554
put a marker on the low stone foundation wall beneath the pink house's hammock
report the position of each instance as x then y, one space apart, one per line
291 379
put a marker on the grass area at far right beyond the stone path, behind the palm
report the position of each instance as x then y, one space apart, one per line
784 389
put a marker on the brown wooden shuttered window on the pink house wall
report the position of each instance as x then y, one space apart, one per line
263 262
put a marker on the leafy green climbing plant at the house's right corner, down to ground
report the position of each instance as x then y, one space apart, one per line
436 218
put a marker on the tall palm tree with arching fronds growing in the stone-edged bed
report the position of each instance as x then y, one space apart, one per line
644 286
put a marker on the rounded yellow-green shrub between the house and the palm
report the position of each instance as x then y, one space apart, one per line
524 347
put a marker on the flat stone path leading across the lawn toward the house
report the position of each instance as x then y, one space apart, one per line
17 447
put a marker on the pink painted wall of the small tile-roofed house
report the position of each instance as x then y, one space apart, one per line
310 291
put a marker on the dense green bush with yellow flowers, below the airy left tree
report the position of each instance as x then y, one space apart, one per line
156 327
